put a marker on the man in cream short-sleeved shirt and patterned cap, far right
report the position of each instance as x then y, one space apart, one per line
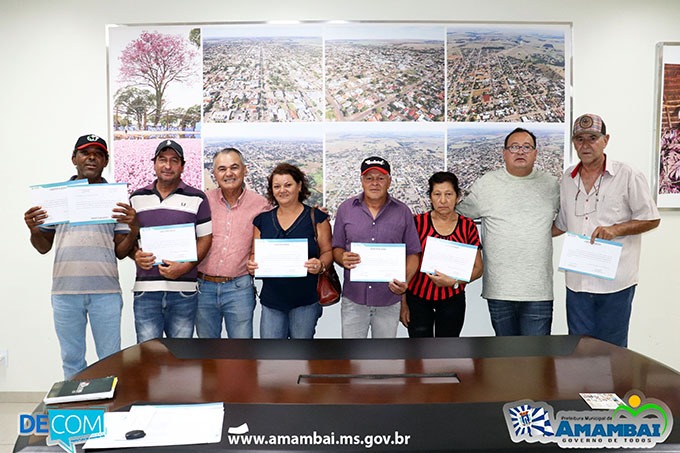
603 199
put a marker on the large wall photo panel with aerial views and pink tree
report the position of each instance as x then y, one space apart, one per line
425 96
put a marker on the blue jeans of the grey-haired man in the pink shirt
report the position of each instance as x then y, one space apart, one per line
233 301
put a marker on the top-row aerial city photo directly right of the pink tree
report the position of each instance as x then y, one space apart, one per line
260 73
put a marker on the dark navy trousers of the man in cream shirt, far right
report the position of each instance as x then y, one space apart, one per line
602 316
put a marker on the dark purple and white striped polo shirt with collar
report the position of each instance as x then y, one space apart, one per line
185 205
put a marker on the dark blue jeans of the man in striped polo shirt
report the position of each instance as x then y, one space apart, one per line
171 312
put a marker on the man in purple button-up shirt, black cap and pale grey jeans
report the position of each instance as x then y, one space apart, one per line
373 216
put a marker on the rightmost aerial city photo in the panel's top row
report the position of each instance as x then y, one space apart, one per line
505 74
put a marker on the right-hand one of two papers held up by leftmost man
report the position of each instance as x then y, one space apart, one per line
94 203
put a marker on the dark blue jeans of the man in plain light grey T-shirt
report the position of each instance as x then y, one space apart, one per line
510 318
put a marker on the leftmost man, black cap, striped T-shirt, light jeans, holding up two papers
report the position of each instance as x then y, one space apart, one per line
85 274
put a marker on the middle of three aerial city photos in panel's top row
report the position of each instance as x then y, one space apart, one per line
385 74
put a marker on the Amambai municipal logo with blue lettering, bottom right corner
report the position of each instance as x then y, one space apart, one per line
643 423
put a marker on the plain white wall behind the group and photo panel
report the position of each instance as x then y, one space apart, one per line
53 89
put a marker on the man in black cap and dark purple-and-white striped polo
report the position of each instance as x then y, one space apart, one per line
166 297
